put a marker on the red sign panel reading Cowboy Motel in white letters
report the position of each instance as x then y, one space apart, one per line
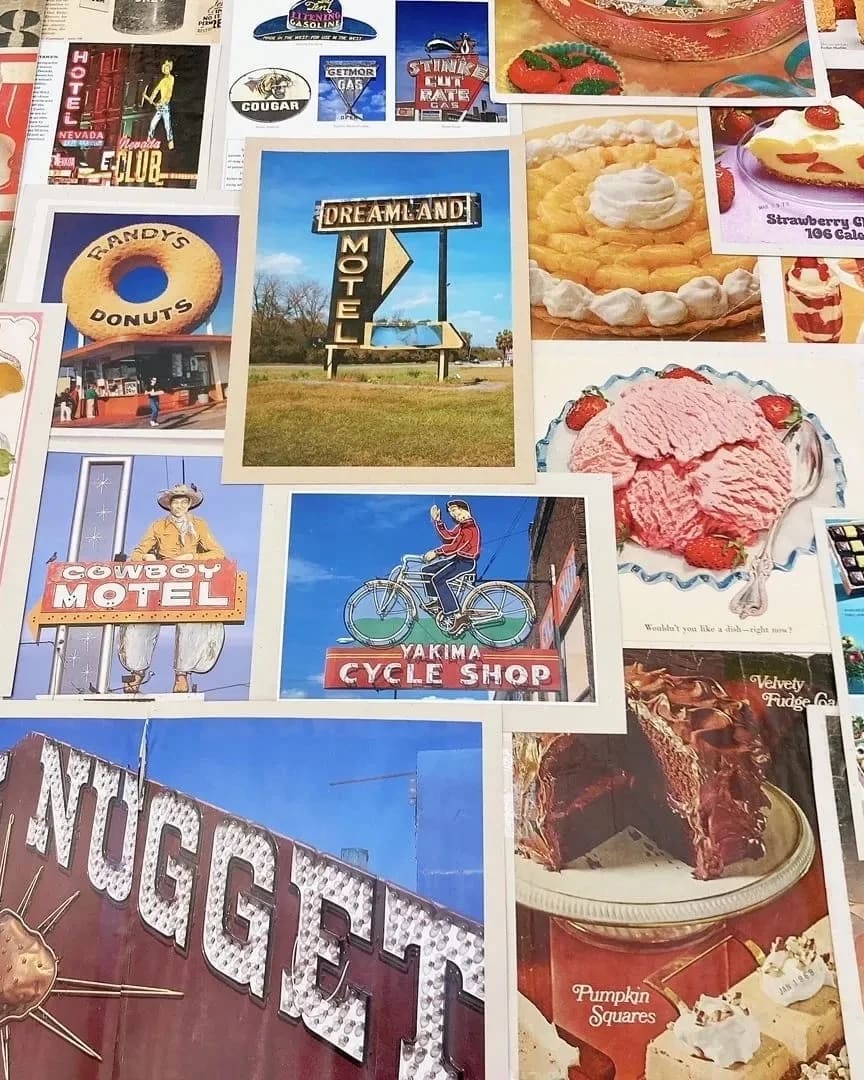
163 591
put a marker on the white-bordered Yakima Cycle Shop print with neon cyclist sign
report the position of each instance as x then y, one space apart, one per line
474 597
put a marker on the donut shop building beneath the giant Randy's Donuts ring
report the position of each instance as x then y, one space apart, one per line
191 369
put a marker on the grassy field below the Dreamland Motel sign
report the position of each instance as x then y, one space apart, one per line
380 415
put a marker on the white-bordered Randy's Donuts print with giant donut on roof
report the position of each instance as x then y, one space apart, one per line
150 292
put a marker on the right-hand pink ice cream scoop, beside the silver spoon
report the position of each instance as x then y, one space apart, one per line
744 489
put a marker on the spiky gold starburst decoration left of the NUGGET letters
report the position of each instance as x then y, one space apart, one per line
30 970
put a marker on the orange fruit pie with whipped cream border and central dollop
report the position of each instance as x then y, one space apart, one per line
619 237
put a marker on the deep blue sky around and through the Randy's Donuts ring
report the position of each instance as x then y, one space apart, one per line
74 233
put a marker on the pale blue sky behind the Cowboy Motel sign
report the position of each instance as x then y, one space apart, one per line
233 514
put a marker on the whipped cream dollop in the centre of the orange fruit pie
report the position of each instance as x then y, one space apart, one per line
643 198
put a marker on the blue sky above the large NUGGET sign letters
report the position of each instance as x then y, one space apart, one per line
278 774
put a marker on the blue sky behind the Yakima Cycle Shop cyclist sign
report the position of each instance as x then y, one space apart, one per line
340 542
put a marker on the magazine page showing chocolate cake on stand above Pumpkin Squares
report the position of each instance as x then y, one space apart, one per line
679 899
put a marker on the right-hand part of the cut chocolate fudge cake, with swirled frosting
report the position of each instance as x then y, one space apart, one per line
713 762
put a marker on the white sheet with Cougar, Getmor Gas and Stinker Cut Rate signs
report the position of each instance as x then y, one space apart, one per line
411 69
